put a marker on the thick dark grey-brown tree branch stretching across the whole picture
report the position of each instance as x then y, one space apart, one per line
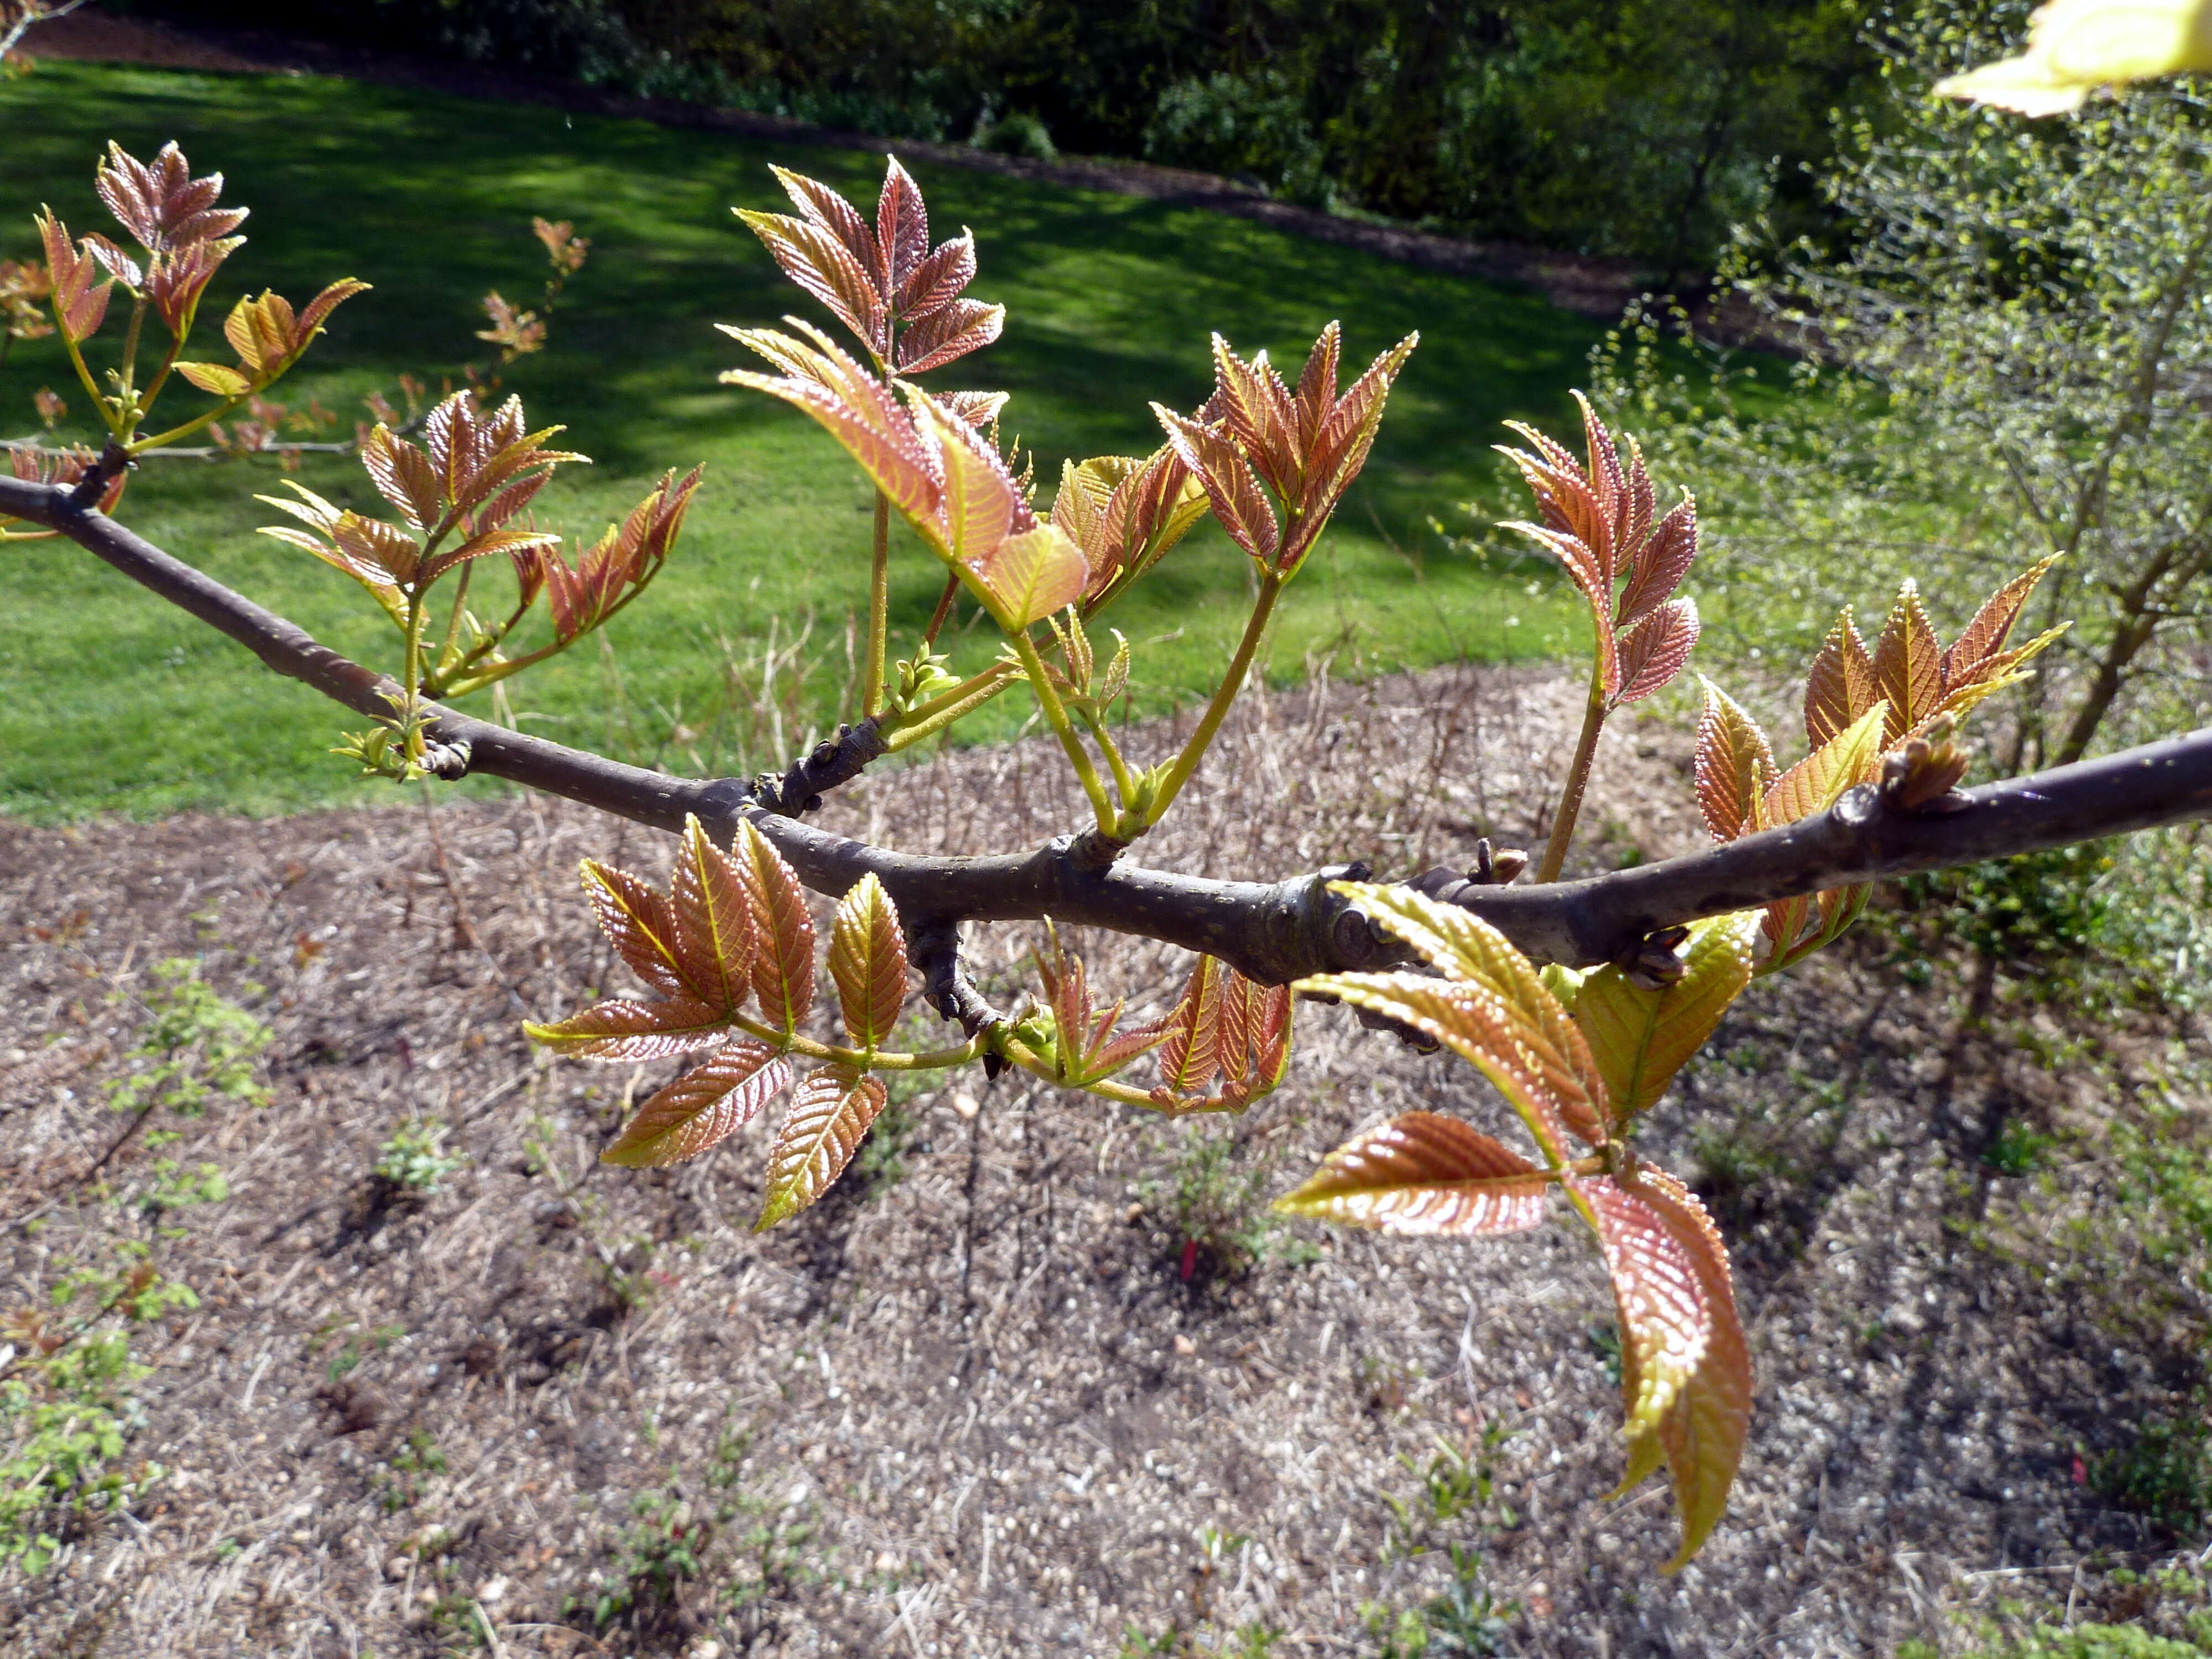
1273 932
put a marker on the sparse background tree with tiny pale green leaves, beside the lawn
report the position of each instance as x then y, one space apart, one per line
2018 346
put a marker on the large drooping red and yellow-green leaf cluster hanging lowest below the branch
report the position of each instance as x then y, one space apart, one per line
1578 1067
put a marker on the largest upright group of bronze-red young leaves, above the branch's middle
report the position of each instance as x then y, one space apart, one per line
1269 463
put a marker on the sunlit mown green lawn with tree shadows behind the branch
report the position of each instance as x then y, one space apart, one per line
114 702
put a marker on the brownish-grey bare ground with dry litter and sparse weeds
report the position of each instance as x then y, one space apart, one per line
988 1399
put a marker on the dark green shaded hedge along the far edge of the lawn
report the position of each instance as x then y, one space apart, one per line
1616 127
